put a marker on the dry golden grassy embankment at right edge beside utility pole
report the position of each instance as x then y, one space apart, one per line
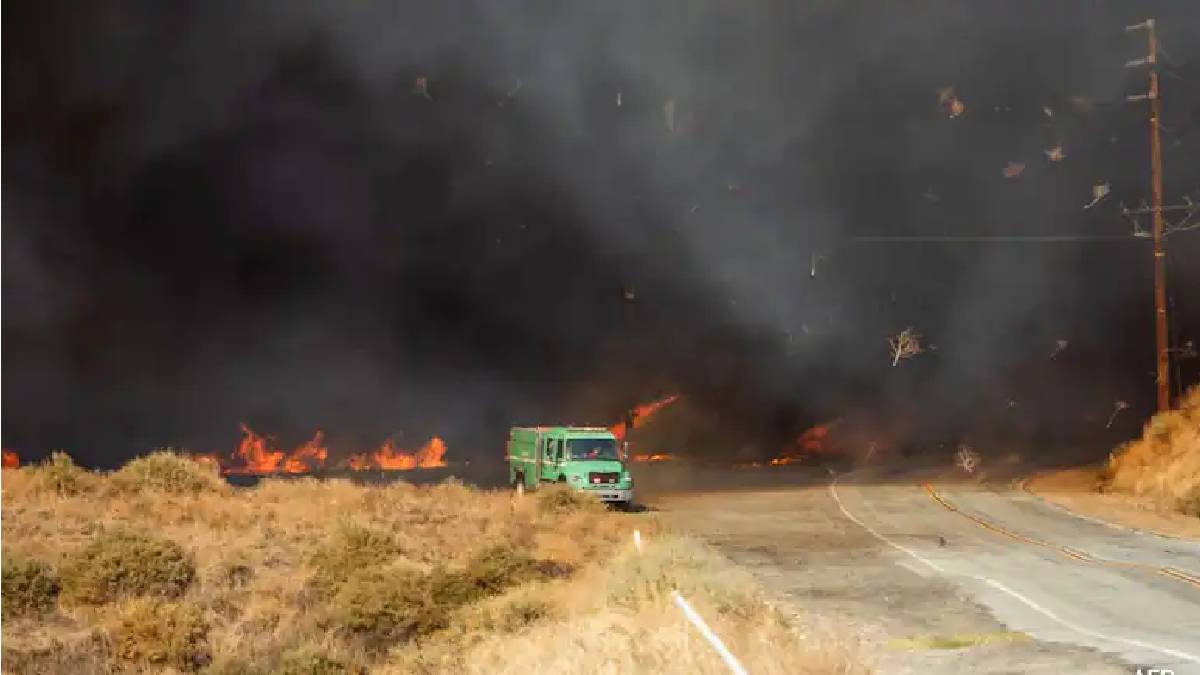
1165 464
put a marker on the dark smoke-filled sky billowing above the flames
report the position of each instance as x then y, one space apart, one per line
409 219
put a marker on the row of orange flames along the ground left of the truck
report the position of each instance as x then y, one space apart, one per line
257 455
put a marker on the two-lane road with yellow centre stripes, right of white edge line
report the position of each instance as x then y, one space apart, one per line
1043 572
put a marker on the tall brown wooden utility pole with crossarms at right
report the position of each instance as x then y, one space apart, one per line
1156 177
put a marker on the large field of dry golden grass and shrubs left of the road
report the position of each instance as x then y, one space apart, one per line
163 570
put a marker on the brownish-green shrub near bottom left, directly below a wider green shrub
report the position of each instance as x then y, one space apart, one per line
152 632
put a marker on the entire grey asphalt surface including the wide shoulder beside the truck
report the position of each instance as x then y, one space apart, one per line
956 578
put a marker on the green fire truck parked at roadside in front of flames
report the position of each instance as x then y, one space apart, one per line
586 458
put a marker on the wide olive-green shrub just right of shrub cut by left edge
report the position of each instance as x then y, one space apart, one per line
127 564
